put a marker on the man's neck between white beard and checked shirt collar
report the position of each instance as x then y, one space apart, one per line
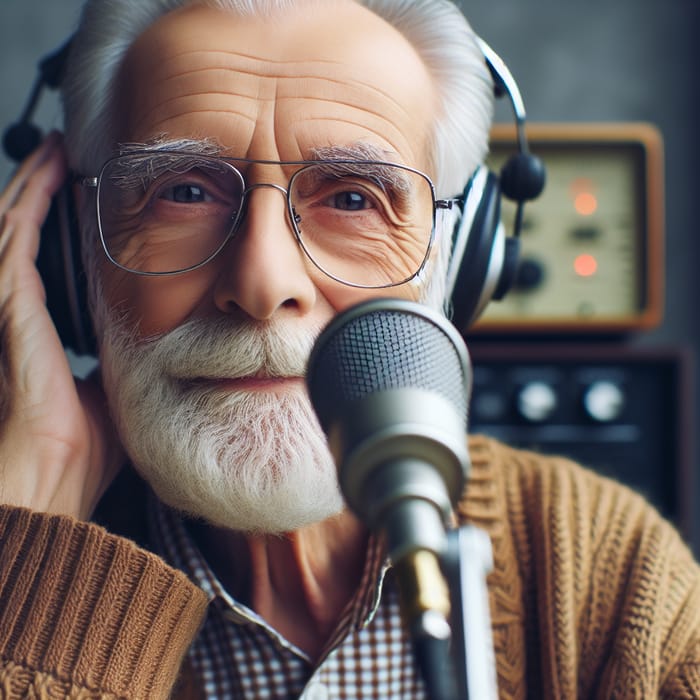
299 582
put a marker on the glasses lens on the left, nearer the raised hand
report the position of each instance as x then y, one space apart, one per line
167 212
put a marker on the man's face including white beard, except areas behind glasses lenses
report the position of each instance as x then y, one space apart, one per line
210 400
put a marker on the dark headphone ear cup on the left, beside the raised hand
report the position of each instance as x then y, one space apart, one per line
60 266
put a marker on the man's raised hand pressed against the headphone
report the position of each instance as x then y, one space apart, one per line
57 446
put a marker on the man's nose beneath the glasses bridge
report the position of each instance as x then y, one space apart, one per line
264 268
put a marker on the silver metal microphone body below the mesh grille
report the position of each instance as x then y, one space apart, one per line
401 465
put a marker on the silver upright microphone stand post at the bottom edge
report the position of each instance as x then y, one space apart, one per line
466 563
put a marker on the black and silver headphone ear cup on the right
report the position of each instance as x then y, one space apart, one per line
478 249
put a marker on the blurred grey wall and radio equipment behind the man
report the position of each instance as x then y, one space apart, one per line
620 396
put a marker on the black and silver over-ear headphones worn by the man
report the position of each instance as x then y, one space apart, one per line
483 262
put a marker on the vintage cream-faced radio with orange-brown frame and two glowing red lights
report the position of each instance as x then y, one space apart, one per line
592 244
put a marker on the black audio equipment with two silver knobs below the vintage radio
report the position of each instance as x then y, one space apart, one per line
623 411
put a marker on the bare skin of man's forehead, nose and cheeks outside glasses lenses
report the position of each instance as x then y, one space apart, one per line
331 74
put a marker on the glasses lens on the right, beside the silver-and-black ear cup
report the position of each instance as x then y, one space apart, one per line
366 224
